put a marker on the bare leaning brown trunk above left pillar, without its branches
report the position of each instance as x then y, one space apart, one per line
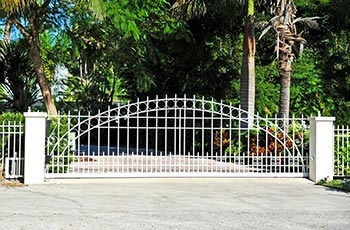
35 54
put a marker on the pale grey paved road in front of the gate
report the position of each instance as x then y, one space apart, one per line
175 204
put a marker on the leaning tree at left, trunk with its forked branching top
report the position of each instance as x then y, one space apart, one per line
35 14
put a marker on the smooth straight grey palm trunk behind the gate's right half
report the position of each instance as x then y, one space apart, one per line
247 89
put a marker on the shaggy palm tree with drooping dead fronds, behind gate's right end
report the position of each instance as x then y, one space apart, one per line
283 23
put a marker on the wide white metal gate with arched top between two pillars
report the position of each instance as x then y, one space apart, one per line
174 137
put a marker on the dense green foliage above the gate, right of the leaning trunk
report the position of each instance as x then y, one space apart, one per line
142 48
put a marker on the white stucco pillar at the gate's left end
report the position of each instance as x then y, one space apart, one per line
35 134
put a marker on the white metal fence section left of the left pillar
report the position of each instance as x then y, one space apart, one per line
11 149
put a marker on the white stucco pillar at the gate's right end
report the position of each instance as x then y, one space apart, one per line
321 148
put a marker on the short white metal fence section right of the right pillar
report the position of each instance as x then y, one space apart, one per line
342 151
